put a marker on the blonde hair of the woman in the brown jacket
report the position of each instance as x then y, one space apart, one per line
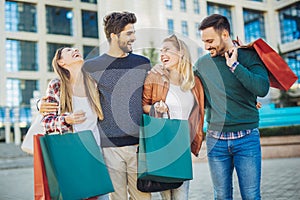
185 67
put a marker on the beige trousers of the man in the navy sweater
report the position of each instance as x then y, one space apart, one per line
122 166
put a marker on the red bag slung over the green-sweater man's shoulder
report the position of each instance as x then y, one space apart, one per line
280 74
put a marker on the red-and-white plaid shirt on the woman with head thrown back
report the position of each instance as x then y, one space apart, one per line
55 122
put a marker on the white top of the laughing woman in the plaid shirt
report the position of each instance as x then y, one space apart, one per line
81 103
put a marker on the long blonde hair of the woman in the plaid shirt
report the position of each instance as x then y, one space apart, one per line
66 104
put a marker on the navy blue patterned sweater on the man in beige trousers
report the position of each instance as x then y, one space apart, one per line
120 82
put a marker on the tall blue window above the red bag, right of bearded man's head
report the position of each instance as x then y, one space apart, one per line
254 25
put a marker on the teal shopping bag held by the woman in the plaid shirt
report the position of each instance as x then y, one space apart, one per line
78 165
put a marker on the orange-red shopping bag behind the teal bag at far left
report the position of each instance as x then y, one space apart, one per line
41 188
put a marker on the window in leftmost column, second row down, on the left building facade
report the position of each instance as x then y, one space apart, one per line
21 56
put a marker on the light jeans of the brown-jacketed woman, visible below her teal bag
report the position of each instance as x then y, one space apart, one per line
181 193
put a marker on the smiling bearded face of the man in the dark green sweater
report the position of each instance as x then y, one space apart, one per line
214 41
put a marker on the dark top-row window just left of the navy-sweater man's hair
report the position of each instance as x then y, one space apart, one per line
89 24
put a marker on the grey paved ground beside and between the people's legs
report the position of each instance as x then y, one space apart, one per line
280 181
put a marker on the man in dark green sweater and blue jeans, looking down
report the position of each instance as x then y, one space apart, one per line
233 79
